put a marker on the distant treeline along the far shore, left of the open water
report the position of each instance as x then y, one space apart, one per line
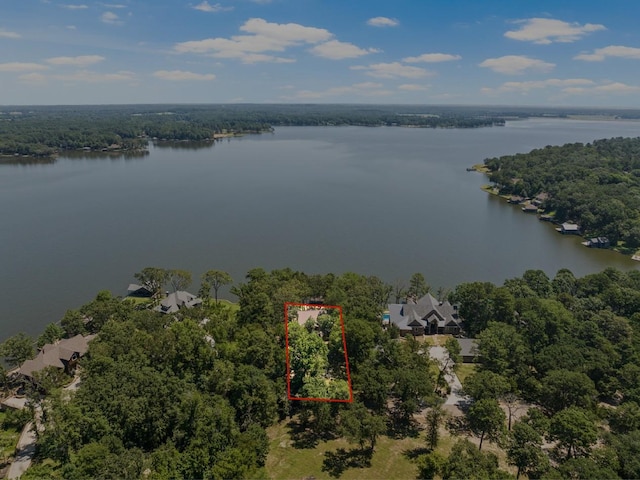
46 131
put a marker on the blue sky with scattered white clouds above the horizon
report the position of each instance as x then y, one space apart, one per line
468 52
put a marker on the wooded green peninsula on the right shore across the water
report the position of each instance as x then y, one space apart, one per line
596 185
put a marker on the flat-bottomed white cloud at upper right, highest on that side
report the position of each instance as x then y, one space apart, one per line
547 30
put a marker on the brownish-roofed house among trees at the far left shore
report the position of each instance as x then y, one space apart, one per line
63 355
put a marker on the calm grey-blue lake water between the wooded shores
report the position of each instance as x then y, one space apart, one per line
380 201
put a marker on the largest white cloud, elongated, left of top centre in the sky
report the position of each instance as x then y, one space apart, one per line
263 37
